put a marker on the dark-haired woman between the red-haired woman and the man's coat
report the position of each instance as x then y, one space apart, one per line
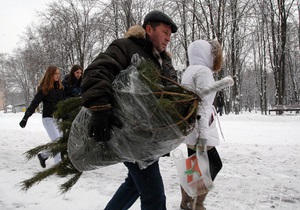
72 82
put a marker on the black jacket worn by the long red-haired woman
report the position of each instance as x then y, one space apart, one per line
50 101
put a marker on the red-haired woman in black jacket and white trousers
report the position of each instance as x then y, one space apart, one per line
50 91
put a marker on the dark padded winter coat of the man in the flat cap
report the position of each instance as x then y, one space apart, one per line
99 75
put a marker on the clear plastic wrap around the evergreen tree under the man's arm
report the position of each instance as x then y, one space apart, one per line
155 119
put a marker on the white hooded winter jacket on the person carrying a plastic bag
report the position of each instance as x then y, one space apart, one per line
200 74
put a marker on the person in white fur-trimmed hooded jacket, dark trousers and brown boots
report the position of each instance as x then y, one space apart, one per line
205 58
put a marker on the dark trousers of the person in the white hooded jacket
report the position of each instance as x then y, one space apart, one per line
215 162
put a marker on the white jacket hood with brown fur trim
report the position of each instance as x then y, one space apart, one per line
206 53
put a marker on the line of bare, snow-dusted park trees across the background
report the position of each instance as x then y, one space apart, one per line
260 39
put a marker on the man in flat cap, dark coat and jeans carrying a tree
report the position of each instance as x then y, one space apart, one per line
150 42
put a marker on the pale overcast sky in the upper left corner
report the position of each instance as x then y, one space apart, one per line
15 16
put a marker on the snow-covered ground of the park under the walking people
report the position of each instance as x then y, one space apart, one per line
261 168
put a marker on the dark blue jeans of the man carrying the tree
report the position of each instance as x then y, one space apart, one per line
146 184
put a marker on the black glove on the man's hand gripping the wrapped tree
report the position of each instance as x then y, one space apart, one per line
102 124
